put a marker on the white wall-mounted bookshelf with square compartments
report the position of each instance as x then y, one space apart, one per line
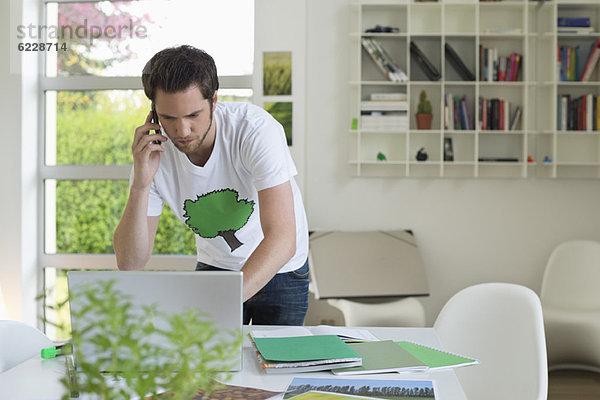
526 27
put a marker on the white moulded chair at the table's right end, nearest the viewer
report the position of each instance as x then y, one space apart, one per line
501 325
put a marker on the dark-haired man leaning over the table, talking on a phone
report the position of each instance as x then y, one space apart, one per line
225 170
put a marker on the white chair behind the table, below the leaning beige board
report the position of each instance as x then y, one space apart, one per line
402 312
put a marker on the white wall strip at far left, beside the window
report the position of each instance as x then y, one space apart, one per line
18 168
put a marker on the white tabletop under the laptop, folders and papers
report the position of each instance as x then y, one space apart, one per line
39 379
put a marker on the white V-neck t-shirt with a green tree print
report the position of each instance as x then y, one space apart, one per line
219 201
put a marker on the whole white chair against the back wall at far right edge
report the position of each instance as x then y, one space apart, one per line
571 302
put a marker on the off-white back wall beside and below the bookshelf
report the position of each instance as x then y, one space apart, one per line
468 230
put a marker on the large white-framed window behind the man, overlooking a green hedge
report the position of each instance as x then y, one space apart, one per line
92 102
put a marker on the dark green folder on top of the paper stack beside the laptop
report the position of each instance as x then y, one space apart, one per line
304 348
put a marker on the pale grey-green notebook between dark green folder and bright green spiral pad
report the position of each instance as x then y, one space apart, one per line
380 357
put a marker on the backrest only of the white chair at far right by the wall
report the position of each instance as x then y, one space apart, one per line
572 275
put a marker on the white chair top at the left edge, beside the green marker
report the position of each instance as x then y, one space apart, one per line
19 342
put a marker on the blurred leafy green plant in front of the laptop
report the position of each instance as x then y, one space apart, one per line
119 334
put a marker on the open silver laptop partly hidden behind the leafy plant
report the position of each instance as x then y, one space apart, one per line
218 294
